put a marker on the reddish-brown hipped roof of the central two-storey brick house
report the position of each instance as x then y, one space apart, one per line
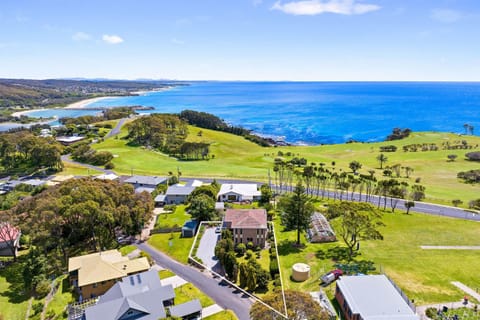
246 218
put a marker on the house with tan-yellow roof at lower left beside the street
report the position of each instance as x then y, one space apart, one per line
93 274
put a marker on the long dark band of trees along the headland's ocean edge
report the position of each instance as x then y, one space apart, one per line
212 122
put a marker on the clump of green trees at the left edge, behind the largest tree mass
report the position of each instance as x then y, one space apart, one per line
23 153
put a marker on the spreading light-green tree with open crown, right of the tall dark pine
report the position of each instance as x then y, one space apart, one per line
358 221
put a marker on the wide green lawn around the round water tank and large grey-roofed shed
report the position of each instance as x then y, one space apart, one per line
424 275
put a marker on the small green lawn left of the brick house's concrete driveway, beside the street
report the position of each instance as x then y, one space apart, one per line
173 245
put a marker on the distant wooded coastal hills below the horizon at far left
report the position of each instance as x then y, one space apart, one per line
30 94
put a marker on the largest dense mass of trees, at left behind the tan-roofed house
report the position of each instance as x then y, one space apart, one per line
80 215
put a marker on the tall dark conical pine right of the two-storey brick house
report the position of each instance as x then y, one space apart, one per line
297 210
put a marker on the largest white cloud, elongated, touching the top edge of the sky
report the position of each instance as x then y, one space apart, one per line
314 7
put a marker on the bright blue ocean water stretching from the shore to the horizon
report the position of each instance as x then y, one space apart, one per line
319 112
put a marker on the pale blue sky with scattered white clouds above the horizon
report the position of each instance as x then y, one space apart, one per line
278 40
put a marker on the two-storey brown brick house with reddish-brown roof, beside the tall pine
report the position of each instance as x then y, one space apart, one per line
247 225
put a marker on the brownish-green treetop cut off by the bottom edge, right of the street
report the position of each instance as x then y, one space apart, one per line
300 306
